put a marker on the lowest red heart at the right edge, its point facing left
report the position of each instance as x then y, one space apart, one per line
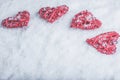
105 42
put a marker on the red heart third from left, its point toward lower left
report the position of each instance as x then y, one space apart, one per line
86 21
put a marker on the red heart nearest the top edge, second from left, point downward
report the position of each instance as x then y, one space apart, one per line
52 14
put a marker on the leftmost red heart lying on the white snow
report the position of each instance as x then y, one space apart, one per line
21 19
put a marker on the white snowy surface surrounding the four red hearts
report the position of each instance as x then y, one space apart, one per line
45 51
